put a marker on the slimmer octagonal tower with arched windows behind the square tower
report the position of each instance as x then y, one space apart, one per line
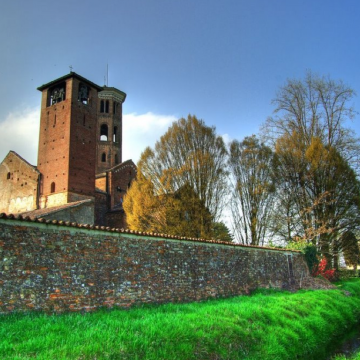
109 130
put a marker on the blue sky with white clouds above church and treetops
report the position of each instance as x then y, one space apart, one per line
220 60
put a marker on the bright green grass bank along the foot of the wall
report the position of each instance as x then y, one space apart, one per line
266 325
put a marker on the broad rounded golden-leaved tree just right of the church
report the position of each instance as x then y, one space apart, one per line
186 170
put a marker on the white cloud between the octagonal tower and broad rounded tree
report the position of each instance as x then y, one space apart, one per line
142 130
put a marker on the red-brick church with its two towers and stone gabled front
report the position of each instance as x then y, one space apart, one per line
80 176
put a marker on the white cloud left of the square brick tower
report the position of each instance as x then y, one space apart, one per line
20 132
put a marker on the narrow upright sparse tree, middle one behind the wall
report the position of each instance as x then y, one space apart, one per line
251 167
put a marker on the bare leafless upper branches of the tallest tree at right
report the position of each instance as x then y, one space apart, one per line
315 107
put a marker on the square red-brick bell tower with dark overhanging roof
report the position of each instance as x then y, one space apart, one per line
67 141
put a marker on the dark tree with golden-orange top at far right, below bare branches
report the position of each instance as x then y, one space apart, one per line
336 198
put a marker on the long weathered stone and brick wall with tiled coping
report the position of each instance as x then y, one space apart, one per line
55 267
